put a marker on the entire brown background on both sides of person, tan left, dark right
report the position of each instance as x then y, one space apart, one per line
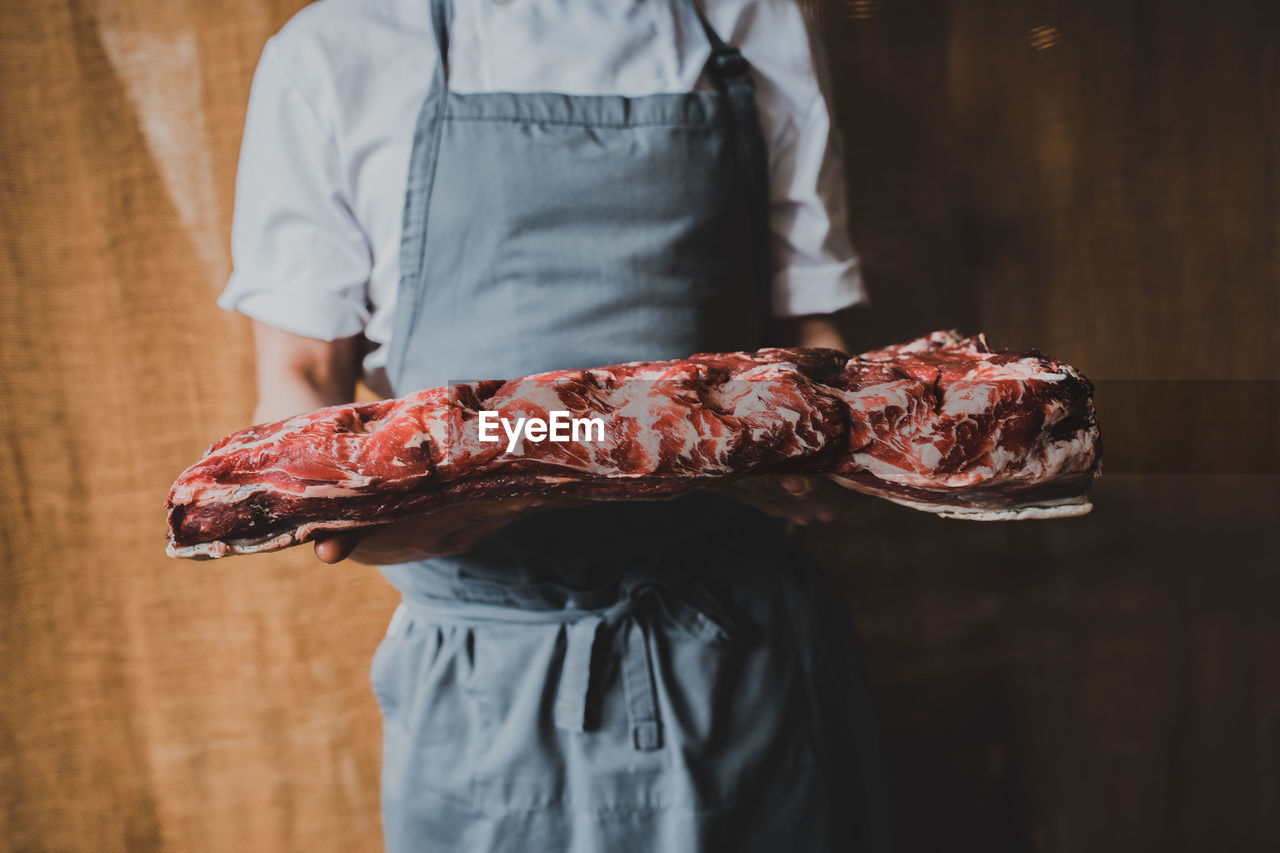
1096 179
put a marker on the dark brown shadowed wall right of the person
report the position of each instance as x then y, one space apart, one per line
1099 180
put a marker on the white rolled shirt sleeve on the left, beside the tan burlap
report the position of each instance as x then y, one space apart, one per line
301 261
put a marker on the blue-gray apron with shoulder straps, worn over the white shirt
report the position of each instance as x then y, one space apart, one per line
628 677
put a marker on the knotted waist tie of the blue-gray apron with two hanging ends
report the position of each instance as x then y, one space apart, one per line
693 612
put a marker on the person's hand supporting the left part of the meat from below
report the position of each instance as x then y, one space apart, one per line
423 537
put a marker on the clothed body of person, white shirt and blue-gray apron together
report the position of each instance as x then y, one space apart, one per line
630 677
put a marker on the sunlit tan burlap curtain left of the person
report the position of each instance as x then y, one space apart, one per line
148 704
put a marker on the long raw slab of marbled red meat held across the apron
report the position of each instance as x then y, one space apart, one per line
941 425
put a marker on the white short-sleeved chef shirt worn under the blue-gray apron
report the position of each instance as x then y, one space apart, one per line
324 162
